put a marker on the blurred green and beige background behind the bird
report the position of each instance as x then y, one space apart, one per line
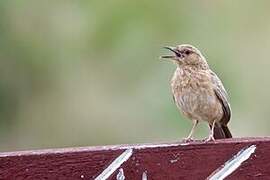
83 73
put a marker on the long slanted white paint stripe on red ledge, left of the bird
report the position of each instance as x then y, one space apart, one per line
115 165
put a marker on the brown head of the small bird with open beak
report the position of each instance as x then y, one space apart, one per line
185 54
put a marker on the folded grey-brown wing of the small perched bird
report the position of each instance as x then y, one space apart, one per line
222 97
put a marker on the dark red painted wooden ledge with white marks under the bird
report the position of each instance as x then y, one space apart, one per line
240 158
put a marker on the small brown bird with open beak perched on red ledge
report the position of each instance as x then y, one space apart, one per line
198 92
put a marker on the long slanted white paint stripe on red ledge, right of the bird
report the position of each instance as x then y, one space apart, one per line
231 165
